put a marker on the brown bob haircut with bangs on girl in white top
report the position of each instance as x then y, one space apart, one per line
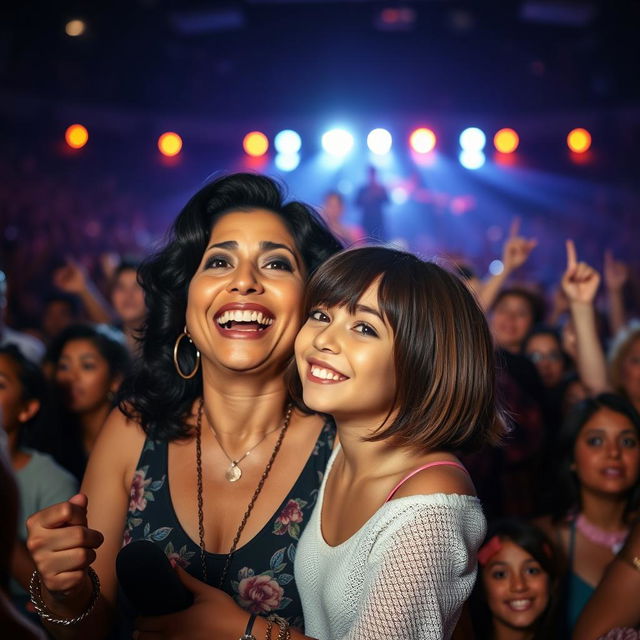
443 350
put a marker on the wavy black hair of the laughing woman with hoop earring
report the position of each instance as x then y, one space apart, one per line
155 395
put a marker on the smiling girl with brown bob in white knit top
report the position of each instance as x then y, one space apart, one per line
398 352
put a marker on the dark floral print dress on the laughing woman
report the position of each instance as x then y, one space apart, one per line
260 577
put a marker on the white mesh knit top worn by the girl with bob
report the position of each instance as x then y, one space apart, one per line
403 576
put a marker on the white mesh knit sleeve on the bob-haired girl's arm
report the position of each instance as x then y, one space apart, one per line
422 568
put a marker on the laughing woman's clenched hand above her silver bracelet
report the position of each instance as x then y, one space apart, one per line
62 545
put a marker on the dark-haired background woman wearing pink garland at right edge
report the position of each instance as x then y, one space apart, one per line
595 492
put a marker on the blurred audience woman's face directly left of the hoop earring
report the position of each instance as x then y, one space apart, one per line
84 376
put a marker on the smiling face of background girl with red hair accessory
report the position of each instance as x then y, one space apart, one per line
516 587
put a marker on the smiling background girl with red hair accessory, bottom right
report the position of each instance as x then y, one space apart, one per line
516 594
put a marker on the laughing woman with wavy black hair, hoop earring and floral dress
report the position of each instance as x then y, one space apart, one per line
207 458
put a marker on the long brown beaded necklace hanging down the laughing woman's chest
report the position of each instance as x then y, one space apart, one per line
256 493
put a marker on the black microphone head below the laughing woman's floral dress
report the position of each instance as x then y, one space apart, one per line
148 581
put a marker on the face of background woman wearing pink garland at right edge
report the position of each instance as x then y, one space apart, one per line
607 454
